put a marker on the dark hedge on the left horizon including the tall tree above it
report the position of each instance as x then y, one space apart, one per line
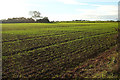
36 18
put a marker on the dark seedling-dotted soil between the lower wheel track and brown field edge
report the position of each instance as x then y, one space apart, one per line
59 58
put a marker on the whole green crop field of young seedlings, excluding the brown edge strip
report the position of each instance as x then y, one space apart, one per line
49 50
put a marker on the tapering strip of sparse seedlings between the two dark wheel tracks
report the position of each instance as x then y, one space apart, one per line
10 48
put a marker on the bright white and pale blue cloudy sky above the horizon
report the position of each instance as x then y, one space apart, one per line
59 10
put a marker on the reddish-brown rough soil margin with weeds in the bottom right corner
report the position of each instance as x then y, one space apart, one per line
102 66
